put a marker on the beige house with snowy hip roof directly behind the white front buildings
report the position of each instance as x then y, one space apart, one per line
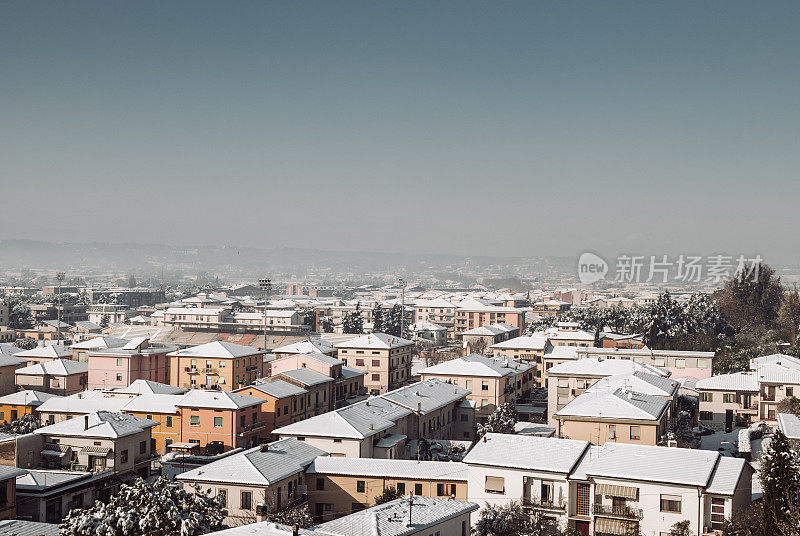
621 416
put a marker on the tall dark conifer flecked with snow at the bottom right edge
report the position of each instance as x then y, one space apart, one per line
780 481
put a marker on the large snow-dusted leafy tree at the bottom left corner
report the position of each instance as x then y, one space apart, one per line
163 508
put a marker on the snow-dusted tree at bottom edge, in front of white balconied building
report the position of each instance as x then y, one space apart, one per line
513 520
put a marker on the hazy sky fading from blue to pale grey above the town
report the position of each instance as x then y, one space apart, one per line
463 127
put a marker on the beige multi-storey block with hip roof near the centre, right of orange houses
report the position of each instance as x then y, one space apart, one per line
385 358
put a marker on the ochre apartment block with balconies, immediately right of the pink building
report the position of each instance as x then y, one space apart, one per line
220 365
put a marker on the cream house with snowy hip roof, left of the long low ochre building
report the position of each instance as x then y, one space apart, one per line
260 480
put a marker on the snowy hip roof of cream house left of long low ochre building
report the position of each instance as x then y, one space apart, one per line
257 466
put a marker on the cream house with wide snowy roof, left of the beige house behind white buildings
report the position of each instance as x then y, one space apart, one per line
491 381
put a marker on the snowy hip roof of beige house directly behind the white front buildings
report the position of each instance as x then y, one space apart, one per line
618 404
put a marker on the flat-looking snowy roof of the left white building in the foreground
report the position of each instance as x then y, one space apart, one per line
527 452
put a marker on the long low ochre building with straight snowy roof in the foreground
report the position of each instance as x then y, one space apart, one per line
344 485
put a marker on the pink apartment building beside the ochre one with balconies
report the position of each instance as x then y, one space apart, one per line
137 360
